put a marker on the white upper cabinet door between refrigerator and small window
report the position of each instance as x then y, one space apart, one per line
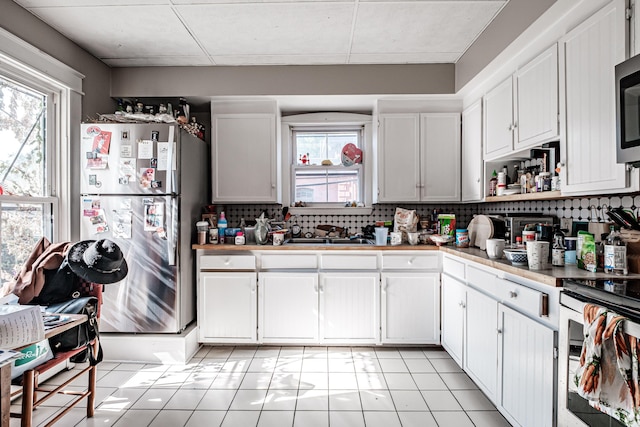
244 158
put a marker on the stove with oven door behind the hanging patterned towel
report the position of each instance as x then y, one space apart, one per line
620 296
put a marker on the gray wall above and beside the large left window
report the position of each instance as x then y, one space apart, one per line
26 26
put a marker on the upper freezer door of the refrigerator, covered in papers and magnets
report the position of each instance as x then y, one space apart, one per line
129 158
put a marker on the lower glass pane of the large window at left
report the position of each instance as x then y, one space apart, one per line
22 225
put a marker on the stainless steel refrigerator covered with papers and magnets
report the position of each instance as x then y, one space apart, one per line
143 186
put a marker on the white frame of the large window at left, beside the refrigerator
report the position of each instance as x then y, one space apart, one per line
26 64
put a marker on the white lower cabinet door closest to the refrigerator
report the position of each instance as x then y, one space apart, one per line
227 307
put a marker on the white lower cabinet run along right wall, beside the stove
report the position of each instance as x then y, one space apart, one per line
497 331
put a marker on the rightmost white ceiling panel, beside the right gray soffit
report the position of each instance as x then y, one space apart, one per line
420 26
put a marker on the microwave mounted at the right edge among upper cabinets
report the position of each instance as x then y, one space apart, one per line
628 111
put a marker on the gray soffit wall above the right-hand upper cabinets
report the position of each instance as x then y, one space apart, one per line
512 20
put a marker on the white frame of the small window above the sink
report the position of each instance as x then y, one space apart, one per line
327 121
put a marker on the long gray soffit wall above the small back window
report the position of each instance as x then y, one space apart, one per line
283 80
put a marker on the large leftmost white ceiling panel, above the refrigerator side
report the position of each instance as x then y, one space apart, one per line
123 31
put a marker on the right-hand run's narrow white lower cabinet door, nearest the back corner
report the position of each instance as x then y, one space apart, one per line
454 302
